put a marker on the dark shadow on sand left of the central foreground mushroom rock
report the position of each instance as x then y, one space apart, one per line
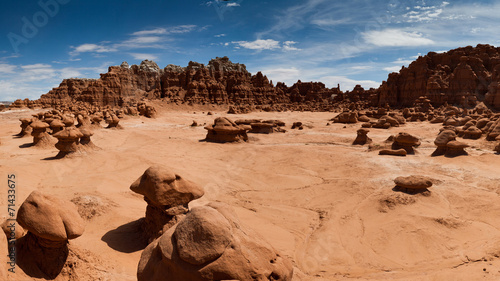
127 238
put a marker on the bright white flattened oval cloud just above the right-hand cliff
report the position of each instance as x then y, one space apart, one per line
396 38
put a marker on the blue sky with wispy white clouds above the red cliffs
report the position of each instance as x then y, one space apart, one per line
346 42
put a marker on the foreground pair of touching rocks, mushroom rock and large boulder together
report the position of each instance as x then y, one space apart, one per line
203 243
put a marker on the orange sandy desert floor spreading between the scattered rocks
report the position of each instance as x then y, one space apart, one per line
325 204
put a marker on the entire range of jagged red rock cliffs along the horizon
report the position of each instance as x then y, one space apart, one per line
463 76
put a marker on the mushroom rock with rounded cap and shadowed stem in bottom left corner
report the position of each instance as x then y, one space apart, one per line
50 223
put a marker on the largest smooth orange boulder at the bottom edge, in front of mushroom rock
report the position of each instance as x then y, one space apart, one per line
212 244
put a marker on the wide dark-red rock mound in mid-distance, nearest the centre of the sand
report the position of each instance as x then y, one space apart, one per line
225 130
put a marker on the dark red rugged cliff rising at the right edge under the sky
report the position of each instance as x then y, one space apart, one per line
461 76
